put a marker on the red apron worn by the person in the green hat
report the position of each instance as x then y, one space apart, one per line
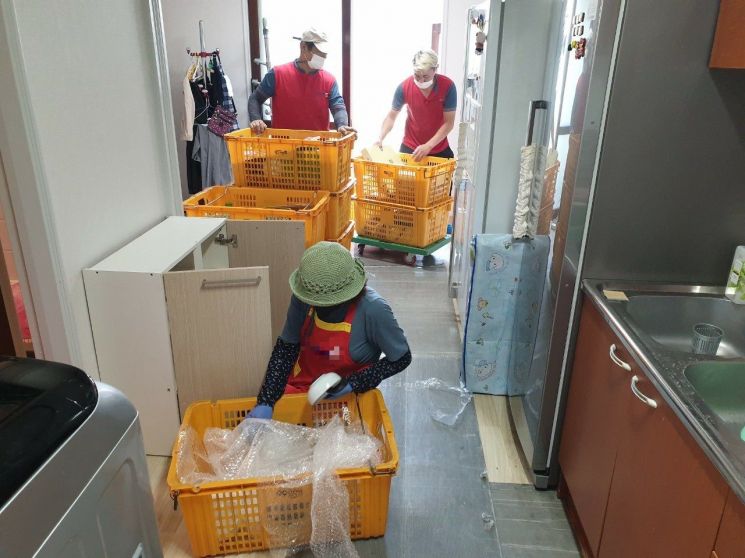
324 347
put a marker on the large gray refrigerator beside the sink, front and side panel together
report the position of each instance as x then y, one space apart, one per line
650 144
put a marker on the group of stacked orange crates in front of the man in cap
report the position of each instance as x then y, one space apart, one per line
297 175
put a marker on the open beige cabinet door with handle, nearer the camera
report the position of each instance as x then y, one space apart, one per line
220 332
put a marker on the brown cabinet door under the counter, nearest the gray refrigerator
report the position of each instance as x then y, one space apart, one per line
590 434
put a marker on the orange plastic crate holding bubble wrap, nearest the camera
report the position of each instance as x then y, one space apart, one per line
230 517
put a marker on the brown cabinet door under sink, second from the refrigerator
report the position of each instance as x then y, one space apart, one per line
666 498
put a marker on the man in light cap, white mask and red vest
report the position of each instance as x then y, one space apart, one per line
302 92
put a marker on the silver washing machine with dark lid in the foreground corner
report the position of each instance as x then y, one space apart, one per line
73 476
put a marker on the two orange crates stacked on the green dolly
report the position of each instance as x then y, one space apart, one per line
406 204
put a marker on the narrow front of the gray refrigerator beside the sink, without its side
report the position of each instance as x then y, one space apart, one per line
583 62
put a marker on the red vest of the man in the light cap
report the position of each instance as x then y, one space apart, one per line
301 101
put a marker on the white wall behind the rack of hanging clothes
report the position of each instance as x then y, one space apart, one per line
226 28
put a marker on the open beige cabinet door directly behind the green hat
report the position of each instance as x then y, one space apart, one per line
277 244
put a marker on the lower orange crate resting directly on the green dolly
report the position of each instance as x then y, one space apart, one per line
401 224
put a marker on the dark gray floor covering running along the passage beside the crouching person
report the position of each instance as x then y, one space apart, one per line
438 497
